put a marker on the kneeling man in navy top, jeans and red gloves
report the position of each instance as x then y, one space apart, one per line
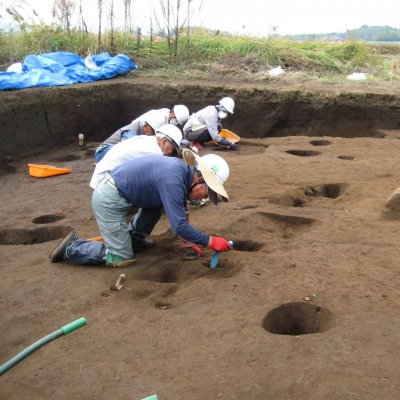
151 183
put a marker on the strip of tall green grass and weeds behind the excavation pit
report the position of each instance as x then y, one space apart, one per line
205 51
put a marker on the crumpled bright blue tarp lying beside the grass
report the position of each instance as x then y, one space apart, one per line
61 68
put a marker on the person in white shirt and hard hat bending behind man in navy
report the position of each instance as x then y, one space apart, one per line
165 142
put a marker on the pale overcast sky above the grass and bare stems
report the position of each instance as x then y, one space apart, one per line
253 17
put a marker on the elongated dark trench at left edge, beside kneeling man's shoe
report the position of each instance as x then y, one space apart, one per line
33 236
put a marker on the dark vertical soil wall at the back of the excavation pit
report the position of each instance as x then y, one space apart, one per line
34 120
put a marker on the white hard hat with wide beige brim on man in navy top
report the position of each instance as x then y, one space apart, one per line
215 172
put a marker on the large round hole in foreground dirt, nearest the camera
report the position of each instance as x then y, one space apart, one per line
298 318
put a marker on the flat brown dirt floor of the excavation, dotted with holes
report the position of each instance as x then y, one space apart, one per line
304 307
